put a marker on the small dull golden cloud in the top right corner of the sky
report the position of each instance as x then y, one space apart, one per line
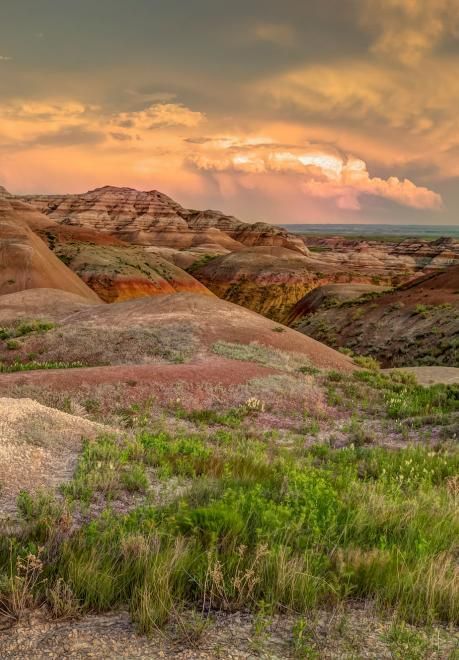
408 30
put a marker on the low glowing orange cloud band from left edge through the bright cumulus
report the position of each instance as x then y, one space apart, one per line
160 145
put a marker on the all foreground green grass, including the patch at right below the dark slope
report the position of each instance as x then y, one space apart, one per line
256 524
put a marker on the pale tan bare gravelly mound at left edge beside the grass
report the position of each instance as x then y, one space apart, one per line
38 447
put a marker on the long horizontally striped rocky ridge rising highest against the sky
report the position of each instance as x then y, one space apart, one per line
152 218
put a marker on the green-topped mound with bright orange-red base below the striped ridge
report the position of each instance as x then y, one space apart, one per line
122 273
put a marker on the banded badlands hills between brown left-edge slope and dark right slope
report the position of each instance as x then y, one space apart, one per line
125 243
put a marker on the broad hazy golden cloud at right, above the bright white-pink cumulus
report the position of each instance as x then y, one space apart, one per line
392 116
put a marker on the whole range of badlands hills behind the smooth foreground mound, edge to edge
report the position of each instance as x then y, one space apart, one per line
118 244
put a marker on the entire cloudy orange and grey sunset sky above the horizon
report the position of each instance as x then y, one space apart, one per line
291 112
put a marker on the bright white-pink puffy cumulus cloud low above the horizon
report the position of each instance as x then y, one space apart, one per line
321 172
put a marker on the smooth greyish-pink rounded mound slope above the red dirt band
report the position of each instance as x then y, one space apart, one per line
165 328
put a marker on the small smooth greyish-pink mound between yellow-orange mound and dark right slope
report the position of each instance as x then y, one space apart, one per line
329 296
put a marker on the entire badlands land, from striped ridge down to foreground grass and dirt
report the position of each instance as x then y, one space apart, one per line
181 466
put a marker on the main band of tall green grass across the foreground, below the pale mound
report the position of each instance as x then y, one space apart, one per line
257 524
